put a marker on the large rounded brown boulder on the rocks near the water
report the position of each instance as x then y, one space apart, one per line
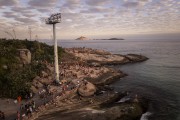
86 89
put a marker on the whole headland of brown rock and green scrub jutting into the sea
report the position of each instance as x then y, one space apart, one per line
84 92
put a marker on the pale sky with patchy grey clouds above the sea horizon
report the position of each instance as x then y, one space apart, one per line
90 18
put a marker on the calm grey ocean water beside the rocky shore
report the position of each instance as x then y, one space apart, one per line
157 79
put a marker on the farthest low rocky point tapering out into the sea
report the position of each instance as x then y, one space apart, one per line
100 57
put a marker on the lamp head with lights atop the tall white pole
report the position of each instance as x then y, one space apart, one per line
54 18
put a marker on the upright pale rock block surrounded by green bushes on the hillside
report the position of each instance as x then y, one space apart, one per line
25 56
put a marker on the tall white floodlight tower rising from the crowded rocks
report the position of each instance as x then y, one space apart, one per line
53 19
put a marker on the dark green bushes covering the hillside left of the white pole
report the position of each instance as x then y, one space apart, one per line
15 78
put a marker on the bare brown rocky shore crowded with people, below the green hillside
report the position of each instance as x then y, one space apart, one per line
84 92
